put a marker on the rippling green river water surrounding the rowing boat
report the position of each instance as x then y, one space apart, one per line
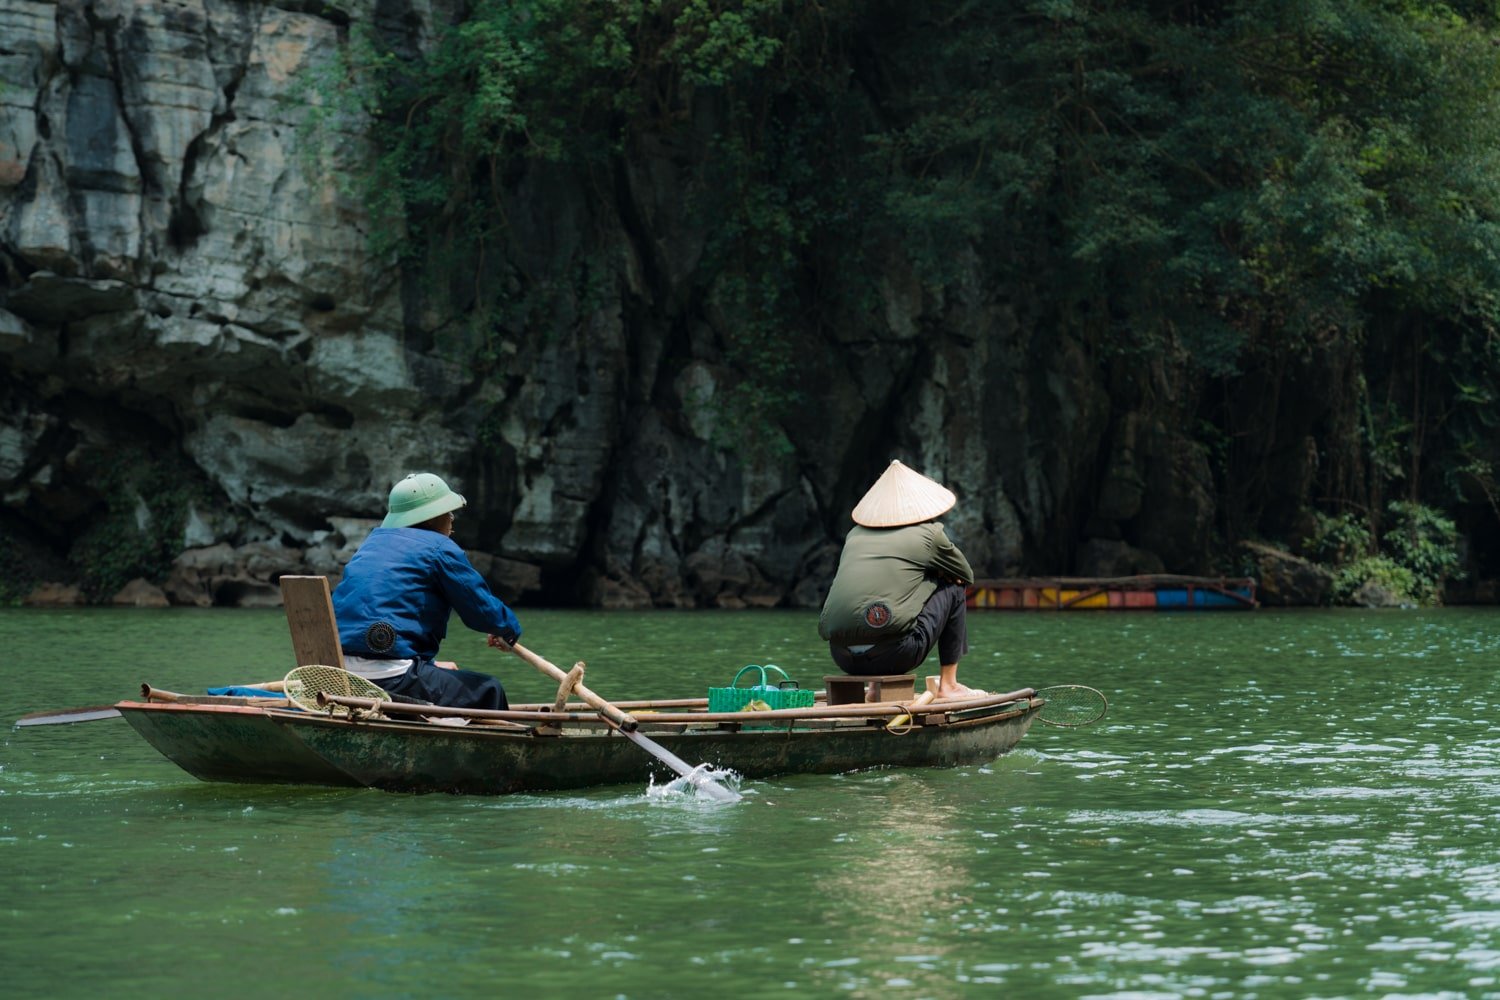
1279 804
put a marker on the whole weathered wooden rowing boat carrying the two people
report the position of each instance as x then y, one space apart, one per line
530 749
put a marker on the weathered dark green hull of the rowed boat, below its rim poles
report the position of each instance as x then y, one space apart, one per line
257 746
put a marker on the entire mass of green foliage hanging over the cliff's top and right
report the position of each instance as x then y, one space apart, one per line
1232 191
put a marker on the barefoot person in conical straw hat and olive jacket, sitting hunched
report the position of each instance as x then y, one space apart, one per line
902 585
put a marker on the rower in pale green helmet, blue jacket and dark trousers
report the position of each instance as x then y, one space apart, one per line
398 593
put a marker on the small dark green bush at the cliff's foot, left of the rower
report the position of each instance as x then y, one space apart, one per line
140 531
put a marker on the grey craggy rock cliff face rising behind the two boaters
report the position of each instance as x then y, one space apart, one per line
181 289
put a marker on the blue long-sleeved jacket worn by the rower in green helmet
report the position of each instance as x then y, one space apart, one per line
401 587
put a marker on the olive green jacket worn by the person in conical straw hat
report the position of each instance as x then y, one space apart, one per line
884 579
